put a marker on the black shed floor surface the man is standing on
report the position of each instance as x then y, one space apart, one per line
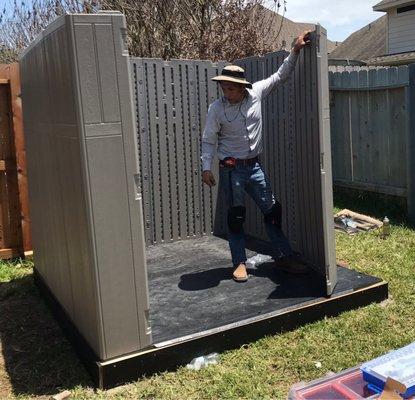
191 288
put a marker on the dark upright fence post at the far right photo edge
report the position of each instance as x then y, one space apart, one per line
410 102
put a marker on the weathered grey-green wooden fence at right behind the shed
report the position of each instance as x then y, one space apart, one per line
373 130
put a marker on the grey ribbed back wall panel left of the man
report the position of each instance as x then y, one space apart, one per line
172 98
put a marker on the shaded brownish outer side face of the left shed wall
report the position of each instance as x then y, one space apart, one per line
60 237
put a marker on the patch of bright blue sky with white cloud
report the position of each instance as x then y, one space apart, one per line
340 18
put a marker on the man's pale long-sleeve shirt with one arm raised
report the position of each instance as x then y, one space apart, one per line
236 129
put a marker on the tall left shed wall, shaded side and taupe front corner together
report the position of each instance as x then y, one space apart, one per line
83 170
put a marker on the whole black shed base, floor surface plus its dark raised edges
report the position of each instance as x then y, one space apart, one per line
196 308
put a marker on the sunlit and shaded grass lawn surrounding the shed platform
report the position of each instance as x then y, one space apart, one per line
36 361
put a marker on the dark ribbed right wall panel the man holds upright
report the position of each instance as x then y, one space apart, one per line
294 145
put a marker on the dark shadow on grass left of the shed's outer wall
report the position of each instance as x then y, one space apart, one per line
37 357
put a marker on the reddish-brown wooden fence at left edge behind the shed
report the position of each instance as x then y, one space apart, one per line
15 236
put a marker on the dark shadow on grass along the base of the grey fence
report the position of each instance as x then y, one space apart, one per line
373 204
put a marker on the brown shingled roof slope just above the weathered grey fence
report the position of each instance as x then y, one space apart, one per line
366 43
